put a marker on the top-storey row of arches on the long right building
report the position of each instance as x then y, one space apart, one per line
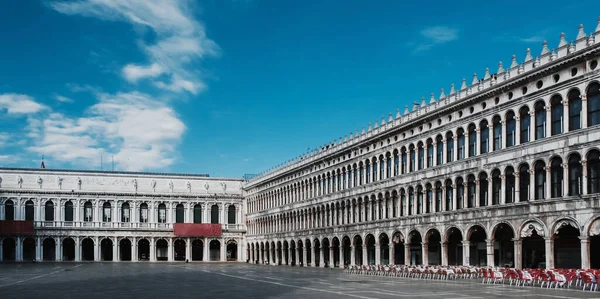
560 113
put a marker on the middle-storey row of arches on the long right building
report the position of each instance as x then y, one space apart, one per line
557 177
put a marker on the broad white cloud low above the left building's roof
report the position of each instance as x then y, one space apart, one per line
140 132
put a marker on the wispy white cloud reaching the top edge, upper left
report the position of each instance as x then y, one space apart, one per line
180 40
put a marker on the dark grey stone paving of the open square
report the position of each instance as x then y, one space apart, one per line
197 280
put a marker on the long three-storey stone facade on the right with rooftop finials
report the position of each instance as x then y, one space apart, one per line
502 171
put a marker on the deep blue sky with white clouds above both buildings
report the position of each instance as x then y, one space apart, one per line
229 87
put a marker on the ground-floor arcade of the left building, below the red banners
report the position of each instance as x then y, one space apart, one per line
80 248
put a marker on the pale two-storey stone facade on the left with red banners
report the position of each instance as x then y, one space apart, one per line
60 215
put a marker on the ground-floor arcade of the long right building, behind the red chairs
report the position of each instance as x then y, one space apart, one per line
564 243
